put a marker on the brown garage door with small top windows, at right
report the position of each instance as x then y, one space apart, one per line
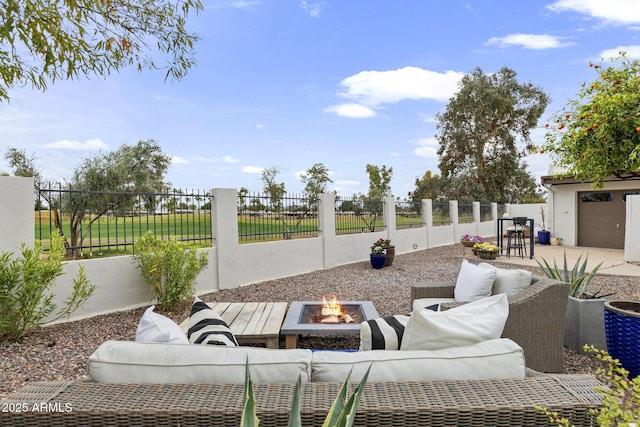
601 218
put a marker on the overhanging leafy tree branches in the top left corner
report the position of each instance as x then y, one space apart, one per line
44 41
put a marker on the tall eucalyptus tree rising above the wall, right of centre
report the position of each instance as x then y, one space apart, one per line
484 134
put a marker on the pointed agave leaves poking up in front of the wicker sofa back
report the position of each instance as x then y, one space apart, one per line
341 413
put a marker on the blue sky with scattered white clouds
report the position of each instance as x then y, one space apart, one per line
290 83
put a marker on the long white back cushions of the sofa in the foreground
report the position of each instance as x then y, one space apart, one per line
162 363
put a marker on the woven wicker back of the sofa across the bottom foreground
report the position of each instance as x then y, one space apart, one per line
463 403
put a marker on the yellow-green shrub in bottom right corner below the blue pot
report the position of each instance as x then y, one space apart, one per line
621 396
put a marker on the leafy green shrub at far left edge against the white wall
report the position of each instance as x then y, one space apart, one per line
25 285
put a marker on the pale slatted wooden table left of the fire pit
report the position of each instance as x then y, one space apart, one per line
251 322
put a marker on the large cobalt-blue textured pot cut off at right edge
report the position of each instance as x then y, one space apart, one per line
622 328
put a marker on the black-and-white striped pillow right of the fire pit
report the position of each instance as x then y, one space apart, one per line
383 333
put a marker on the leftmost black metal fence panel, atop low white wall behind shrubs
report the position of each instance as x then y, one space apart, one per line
95 223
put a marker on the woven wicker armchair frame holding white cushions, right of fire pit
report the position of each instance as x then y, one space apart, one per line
535 322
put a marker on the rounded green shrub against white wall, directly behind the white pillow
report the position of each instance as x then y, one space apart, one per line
169 268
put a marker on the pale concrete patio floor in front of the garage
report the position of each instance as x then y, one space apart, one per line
612 259
